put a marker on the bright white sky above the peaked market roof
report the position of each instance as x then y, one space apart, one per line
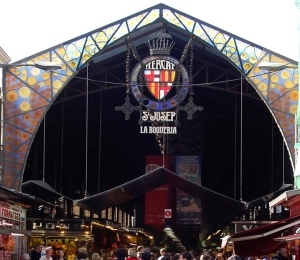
28 27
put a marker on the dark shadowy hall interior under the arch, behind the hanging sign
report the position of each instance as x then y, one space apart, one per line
116 149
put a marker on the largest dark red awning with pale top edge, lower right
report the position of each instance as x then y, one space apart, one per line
260 240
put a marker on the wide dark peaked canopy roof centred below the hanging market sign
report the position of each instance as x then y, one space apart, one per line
150 181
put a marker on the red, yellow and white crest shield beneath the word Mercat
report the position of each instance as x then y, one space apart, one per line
159 82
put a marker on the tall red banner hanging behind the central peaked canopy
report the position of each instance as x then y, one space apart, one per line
157 200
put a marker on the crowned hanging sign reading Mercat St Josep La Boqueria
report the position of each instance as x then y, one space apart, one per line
159 83
